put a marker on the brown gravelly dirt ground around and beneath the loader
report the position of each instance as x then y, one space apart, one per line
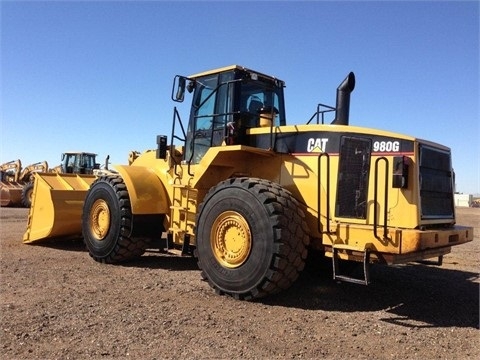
57 303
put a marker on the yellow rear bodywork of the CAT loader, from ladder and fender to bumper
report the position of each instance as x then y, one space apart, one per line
299 174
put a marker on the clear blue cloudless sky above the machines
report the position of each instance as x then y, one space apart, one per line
97 75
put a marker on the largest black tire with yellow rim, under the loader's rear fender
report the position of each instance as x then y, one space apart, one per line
251 238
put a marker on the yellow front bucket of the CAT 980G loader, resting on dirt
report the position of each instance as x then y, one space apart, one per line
57 205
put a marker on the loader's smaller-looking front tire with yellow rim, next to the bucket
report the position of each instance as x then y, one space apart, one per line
107 222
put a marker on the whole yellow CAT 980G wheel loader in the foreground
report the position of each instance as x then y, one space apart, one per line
249 195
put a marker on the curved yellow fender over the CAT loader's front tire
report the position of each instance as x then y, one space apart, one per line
146 191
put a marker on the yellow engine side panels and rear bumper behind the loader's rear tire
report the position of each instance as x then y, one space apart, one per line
405 240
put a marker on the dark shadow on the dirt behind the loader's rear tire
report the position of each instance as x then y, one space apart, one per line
413 295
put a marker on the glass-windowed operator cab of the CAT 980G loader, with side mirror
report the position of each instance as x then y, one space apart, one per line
226 103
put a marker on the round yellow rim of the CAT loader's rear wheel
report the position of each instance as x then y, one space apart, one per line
230 239
